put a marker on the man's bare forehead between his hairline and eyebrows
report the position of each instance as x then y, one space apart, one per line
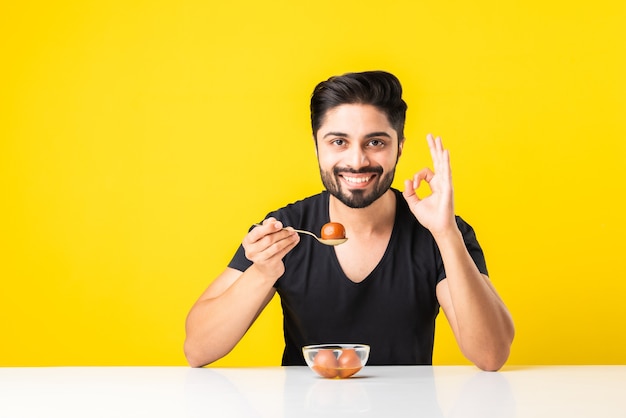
353 118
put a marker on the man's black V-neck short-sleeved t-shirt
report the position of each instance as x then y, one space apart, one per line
393 309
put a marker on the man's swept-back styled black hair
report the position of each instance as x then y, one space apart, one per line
377 88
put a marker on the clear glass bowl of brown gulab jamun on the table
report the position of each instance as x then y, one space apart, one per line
336 361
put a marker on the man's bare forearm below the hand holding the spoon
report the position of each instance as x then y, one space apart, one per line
216 324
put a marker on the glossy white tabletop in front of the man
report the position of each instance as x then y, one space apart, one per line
377 391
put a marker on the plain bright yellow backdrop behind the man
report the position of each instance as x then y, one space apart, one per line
140 139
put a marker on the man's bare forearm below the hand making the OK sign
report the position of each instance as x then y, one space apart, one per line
481 322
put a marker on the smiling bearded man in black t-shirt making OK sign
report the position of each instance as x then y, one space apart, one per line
405 257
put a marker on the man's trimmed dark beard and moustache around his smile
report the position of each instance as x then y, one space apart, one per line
357 199
